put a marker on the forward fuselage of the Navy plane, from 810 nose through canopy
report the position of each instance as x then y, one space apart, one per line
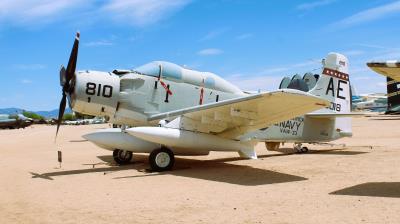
129 97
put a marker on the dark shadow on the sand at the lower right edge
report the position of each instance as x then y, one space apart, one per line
372 189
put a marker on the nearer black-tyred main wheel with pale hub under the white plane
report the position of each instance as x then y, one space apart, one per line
161 159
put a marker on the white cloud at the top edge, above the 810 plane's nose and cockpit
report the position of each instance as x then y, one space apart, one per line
142 12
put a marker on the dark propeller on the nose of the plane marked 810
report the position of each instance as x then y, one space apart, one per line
66 76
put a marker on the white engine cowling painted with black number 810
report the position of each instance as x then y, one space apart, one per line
95 93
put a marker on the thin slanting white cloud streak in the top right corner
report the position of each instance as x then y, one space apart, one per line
369 15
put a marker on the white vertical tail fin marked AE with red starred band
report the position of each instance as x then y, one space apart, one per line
334 85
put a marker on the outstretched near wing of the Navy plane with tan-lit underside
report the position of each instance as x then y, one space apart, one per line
235 117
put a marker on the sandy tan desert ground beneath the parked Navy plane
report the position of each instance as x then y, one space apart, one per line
356 183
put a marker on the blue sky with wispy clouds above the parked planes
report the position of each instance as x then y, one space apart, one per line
253 43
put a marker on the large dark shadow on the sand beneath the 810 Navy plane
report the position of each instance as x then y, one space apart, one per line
213 170
